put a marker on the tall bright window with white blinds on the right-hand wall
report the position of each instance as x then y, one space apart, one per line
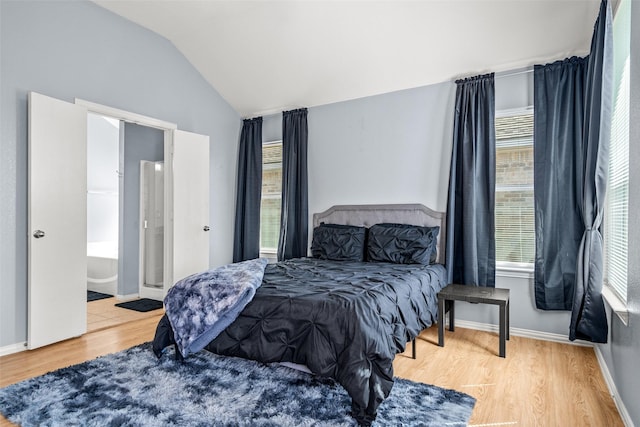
616 207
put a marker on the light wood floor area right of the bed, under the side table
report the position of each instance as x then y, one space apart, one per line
539 383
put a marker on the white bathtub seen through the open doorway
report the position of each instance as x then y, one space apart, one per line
102 267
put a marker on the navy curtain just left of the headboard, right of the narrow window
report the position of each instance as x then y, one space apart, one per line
294 216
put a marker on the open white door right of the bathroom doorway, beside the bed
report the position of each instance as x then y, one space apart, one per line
190 172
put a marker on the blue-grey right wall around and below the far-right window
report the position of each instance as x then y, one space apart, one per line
622 352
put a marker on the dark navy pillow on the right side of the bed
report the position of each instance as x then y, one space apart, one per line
403 244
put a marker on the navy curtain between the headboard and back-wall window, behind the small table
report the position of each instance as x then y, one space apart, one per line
470 256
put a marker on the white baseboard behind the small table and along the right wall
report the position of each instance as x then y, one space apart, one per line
563 339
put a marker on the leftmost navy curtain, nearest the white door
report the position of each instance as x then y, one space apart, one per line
246 243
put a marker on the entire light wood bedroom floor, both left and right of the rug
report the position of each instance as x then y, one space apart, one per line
539 383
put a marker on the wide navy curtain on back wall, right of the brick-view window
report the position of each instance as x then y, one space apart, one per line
558 124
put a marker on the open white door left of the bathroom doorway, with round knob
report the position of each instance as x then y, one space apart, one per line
57 209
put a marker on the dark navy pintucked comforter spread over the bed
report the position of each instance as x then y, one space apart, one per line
344 320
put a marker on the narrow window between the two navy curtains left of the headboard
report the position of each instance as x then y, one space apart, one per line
271 197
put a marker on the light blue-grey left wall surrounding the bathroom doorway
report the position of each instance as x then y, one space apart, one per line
75 49
